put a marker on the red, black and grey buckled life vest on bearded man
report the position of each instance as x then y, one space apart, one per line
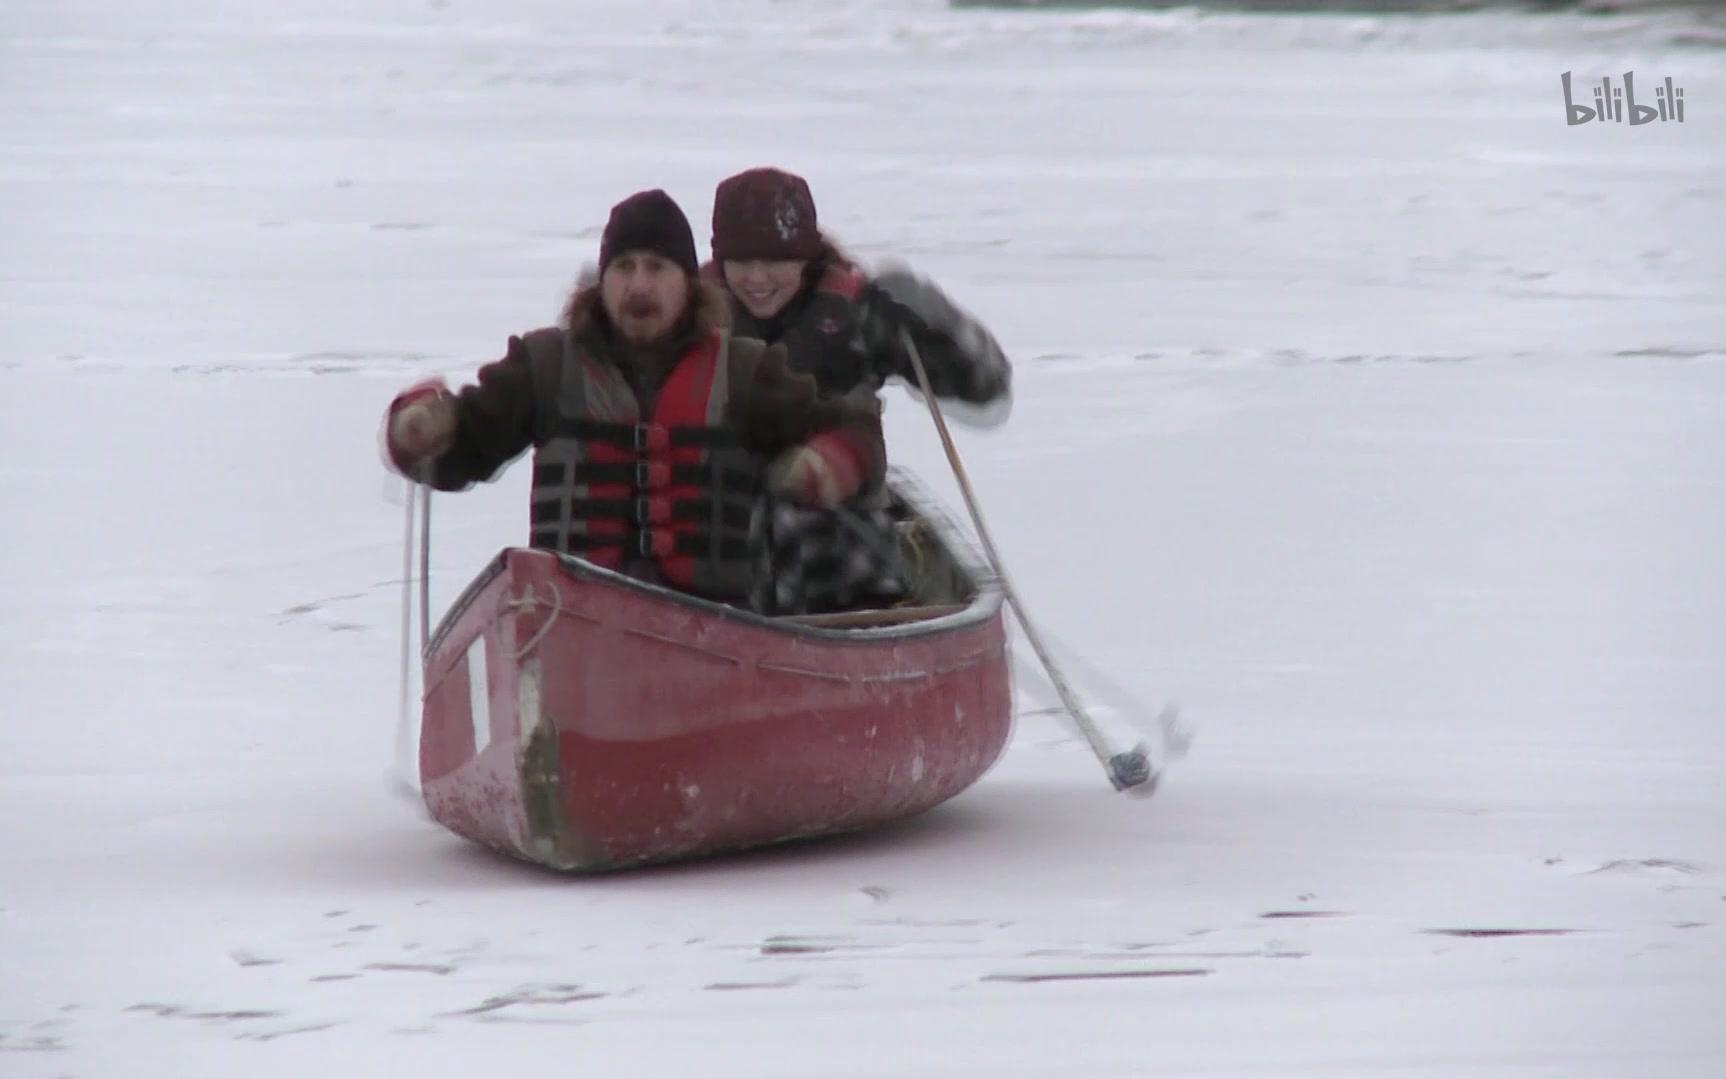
676 488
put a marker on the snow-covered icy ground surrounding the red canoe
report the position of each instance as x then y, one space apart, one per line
1363 405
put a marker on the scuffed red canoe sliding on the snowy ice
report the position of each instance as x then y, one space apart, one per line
589 722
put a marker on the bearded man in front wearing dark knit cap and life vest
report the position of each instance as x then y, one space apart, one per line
655 429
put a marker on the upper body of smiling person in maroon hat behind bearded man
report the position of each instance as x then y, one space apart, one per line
790 284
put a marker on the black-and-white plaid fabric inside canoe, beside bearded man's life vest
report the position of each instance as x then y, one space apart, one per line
824 560
